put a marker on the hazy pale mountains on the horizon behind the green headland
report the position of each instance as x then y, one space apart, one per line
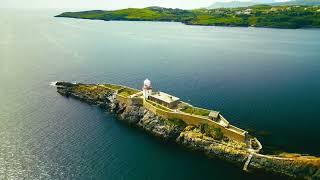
235 4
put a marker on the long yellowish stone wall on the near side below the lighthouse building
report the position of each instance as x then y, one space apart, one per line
231 133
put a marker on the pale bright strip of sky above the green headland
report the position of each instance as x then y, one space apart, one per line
107 4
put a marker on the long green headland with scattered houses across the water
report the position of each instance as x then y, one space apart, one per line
289 16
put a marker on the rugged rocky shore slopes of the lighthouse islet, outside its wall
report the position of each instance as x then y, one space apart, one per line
198 138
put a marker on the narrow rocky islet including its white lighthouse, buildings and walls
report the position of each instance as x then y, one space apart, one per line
208 131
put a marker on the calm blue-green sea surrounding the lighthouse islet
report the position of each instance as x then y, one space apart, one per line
265 80
